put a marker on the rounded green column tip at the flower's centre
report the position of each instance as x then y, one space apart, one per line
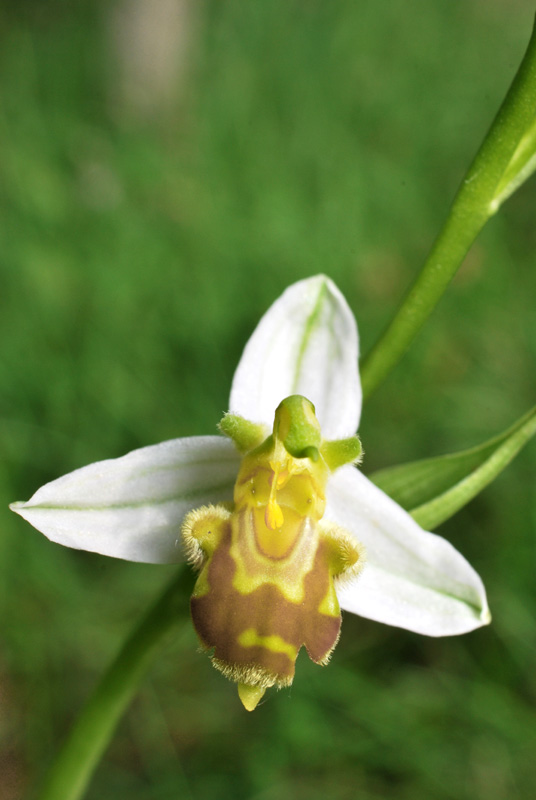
296 426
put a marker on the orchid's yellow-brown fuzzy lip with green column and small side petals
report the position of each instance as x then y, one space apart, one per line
268 567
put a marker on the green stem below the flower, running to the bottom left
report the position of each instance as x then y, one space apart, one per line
72 771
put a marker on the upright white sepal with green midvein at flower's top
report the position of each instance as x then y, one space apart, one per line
307 344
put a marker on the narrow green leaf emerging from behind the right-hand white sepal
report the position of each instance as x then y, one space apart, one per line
433 489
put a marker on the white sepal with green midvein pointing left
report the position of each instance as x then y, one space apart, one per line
132 507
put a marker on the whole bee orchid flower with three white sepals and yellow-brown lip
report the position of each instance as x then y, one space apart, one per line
282 527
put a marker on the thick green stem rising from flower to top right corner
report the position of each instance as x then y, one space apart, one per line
477 200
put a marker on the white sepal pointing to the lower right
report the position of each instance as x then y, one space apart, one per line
412 579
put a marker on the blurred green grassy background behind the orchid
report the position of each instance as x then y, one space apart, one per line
167 168
